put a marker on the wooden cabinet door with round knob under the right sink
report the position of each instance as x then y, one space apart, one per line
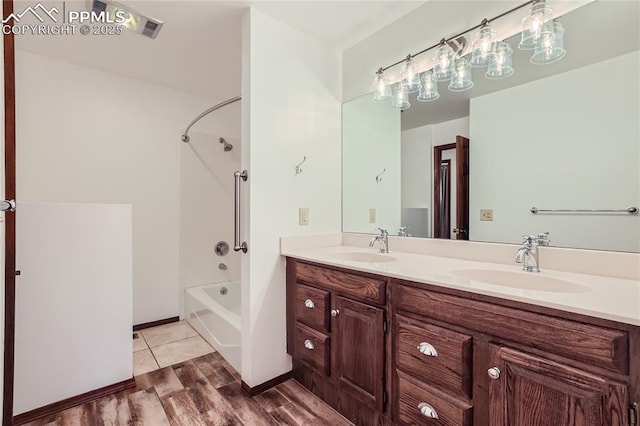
533 391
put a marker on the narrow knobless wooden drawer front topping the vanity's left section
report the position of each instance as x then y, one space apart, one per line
359 287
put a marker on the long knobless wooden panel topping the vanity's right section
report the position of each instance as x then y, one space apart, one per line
591 344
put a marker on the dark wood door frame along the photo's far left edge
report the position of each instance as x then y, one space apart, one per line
10 219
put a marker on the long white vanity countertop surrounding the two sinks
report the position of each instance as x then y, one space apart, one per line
597 296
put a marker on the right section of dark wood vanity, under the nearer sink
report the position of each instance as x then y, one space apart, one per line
507 365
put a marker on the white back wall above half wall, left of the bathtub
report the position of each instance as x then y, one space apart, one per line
86 136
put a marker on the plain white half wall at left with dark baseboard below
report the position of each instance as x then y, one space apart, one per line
73 301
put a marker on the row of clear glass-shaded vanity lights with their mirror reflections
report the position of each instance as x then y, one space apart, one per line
541 33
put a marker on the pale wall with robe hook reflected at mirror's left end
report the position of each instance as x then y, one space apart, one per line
371 144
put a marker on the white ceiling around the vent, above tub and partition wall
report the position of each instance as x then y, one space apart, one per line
198 49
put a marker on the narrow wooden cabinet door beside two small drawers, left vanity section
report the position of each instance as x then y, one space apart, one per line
359 350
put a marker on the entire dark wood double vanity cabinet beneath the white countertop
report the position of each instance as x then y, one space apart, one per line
455 358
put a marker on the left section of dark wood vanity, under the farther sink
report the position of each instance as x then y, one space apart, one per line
336 336
